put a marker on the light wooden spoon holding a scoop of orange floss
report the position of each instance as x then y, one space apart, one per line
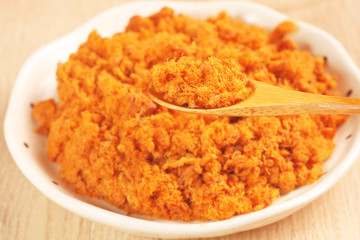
267 100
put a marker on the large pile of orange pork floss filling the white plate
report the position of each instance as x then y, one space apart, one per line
113 143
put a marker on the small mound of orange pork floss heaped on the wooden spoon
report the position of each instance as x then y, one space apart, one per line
197 83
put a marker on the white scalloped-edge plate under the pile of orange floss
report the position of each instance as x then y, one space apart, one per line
36 81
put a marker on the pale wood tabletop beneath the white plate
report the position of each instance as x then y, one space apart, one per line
26 214
